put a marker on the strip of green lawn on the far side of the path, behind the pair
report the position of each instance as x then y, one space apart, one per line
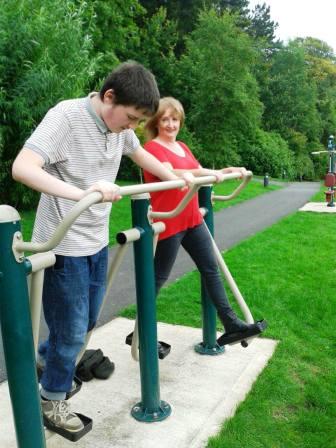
121 211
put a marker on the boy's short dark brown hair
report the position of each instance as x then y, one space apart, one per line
133 85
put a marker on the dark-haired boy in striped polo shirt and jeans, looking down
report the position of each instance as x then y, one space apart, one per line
76 149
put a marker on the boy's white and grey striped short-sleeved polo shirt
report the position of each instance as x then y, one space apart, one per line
77 148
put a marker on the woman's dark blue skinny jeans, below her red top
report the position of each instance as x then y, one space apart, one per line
197 243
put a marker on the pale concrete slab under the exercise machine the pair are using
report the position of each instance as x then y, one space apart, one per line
203 391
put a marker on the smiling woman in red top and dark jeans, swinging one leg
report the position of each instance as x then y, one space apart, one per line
188 228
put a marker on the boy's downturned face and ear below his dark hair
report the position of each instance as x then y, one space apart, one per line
118 117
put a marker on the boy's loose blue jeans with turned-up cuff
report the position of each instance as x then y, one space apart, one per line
73 292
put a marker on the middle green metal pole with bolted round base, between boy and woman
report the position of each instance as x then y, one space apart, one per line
151 408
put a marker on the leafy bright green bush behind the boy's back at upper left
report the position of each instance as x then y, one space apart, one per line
44 58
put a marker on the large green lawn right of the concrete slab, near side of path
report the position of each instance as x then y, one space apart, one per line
287 276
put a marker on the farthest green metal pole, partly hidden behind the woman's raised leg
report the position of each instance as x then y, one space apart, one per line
209 345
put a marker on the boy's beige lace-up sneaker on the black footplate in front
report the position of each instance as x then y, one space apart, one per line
57 413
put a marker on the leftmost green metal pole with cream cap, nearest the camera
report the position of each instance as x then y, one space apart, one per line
18 338
